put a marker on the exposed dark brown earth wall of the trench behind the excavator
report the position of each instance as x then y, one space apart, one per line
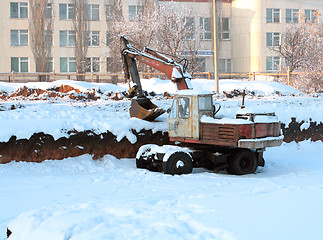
41 146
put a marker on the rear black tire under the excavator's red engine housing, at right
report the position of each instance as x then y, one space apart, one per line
243 161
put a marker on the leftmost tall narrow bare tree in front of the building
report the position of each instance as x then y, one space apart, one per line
41 30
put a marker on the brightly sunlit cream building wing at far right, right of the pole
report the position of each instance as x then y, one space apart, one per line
256 27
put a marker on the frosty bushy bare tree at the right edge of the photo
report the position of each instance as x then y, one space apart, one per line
301 50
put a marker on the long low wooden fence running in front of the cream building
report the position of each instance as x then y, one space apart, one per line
119 77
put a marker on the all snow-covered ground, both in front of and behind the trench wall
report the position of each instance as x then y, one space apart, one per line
79 198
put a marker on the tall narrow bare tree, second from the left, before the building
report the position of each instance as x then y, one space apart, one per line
81 29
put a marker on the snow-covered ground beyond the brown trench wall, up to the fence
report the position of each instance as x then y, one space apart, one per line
58 116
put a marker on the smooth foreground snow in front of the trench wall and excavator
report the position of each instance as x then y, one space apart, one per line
78 198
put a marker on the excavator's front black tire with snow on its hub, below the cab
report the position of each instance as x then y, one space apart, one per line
178 163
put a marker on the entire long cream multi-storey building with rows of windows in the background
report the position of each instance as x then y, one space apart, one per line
247 31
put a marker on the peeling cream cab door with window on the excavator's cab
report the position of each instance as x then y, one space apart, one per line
179 119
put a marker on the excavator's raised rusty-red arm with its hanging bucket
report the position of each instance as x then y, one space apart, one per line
141 106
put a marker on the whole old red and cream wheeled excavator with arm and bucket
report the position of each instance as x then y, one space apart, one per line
198 137
